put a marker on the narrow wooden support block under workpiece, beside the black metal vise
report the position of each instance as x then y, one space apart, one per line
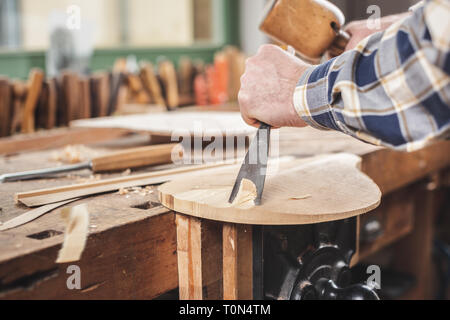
237 262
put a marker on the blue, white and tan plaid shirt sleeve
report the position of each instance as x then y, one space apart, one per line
392 90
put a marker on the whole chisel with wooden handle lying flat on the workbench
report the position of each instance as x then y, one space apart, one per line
131 158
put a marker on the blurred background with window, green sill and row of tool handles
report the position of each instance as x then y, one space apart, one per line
77 59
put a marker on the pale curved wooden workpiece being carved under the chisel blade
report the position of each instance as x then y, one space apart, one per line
302 191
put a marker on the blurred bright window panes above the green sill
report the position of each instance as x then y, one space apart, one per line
27 24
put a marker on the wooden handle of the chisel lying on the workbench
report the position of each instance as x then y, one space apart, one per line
137 157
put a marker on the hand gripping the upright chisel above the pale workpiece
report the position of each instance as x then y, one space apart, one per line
267 88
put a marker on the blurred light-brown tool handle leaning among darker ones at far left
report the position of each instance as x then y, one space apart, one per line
34 90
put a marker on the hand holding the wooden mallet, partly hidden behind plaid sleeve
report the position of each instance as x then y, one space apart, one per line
359 30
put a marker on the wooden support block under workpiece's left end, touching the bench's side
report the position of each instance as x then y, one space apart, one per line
199 250
